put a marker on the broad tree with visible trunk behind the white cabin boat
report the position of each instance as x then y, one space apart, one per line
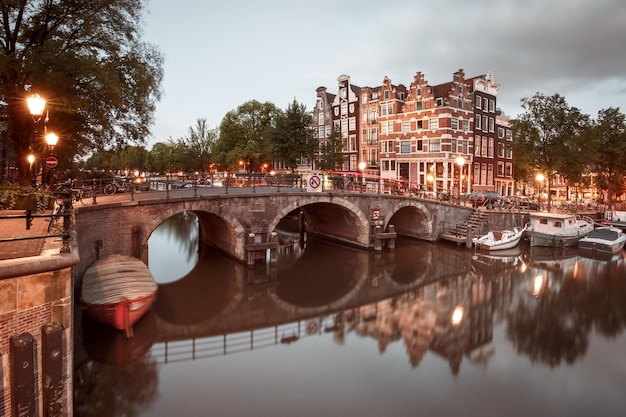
549 135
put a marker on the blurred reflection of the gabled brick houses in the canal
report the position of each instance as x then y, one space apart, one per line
453 318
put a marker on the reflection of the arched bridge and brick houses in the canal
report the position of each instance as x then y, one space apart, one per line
409 297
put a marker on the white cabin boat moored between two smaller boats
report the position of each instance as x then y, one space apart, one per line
558 229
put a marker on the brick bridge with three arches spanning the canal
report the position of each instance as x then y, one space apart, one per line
238 223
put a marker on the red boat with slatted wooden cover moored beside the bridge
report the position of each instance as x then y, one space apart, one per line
118 291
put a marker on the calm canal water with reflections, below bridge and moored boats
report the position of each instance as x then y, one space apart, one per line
428 329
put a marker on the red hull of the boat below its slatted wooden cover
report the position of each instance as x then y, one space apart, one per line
121 315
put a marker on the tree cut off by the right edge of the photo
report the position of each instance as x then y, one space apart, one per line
609 141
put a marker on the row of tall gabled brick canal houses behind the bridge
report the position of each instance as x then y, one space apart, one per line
417 134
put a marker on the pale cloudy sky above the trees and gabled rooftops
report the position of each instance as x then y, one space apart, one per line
220 54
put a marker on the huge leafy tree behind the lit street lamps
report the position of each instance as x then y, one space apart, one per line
101 82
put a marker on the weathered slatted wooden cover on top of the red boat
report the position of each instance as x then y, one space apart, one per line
115 279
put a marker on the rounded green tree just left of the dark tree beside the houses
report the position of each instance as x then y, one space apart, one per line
245 135
